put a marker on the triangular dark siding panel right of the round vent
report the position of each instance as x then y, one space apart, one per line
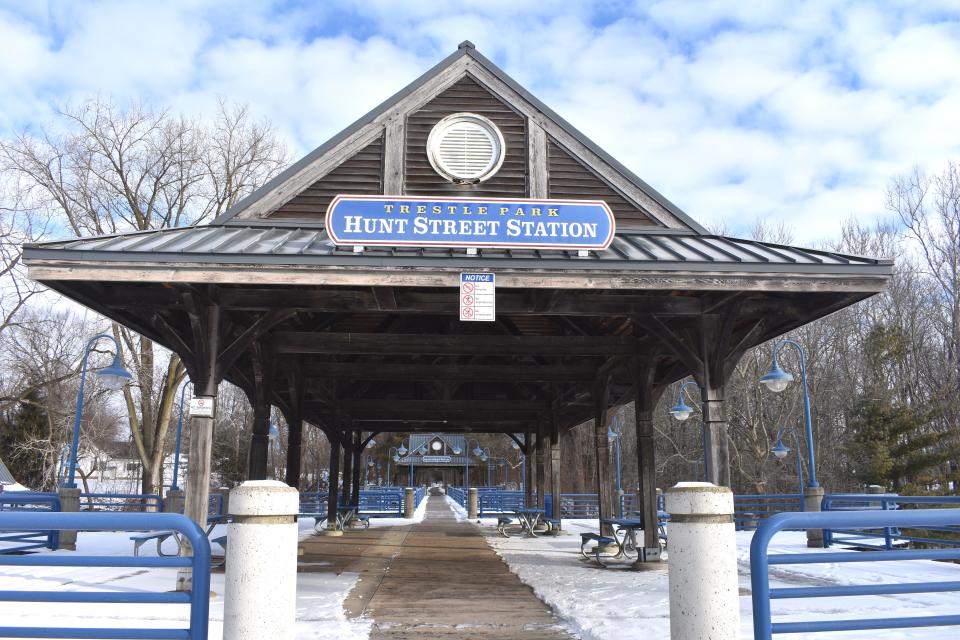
570 178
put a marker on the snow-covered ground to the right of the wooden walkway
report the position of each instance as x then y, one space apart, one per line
600 603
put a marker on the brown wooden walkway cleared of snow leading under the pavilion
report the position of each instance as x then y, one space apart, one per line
436 579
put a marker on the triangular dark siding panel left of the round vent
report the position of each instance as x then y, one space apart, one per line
361 173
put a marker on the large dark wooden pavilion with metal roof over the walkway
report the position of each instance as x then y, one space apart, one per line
362 340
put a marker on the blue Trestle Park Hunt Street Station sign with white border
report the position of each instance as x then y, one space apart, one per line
468 222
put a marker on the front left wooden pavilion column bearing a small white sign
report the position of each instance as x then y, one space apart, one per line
206 382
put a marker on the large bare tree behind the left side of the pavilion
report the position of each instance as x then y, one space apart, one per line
104 169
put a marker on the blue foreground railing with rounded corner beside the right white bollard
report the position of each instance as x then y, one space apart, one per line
760 561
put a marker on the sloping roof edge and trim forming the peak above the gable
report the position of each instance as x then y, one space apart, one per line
465 49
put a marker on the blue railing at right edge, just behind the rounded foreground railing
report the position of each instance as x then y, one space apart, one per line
869 539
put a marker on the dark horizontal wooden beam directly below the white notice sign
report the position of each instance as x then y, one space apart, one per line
443 344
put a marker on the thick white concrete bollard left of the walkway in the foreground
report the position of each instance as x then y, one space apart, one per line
260 595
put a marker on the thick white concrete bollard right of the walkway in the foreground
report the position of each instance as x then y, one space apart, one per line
704 594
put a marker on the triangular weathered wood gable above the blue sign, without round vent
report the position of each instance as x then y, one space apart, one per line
386 153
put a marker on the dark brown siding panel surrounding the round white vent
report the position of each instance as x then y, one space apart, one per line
466 96
